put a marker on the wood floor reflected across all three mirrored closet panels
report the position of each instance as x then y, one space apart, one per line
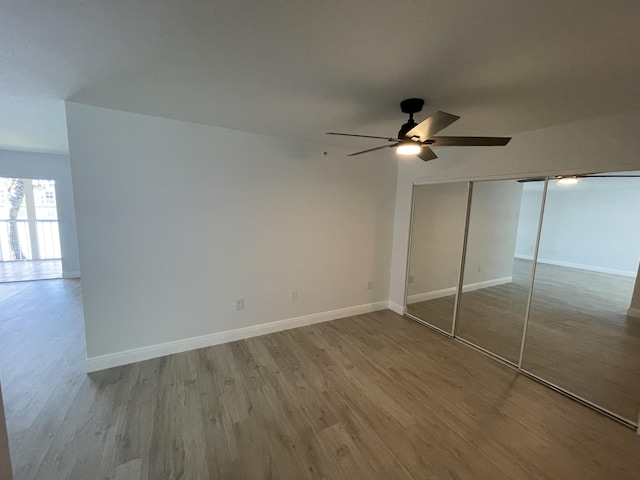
579 338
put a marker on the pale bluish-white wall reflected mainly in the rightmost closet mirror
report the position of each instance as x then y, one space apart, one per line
592 225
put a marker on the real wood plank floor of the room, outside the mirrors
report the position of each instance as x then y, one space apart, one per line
375 396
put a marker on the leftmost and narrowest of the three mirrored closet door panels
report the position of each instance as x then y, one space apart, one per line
437 231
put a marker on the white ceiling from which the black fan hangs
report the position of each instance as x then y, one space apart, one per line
301 68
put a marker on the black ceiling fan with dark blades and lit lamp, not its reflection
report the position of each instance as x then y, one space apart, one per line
418 138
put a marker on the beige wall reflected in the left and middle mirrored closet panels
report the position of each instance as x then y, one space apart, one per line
438 230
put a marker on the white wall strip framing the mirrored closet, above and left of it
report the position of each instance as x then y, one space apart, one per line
600 144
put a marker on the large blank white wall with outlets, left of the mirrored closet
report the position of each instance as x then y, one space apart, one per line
176 220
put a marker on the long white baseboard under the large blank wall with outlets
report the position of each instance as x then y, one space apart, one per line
117 359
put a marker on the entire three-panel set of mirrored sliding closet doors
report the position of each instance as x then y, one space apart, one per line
539 273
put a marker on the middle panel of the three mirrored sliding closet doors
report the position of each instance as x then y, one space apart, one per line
502 233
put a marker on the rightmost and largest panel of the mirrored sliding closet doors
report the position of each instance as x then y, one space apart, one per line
582 334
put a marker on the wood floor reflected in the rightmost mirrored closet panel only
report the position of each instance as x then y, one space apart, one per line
581 338
